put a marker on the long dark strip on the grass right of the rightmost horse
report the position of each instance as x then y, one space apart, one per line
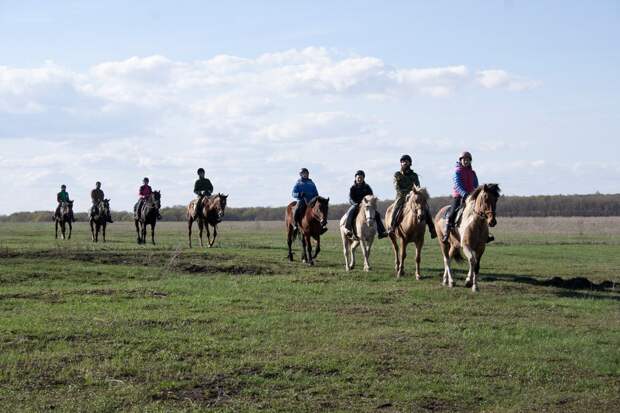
576 283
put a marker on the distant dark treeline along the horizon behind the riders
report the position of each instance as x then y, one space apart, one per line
593 205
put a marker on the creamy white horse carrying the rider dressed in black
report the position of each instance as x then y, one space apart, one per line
365 229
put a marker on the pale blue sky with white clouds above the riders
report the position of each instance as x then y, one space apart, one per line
252 91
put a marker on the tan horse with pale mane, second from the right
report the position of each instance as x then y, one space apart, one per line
411 229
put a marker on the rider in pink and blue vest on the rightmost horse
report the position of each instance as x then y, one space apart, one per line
464 181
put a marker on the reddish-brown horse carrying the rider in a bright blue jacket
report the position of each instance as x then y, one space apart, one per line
311 226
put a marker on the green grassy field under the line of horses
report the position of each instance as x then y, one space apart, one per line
119 326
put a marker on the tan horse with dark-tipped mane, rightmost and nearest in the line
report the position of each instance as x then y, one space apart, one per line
472 234
